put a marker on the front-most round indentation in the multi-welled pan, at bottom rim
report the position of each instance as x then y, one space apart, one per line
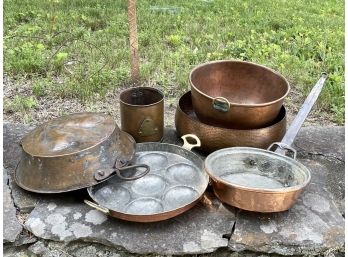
144 205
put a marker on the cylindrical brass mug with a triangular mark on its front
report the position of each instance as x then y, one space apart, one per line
142 113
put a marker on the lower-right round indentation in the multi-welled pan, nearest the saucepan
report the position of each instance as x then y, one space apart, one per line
179 196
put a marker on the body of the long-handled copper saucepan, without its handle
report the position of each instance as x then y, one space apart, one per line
251 198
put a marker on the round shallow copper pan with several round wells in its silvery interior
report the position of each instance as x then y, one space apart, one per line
175 183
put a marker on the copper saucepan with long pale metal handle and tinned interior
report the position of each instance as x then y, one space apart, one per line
261 180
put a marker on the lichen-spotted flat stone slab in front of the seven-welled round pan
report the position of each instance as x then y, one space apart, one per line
199 230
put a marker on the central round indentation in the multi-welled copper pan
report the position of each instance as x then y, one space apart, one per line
149 185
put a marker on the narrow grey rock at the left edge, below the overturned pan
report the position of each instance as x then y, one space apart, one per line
12 228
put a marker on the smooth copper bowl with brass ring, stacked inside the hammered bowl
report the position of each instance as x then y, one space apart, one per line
237 94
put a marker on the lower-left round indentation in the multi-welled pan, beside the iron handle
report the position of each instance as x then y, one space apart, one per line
112 196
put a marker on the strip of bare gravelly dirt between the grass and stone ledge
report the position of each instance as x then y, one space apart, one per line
50 107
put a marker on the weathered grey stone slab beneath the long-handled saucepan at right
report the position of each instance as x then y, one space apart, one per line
312 226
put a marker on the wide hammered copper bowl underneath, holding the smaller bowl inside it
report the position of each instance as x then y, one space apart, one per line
215 138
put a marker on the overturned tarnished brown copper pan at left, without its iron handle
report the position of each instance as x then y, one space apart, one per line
64 154
